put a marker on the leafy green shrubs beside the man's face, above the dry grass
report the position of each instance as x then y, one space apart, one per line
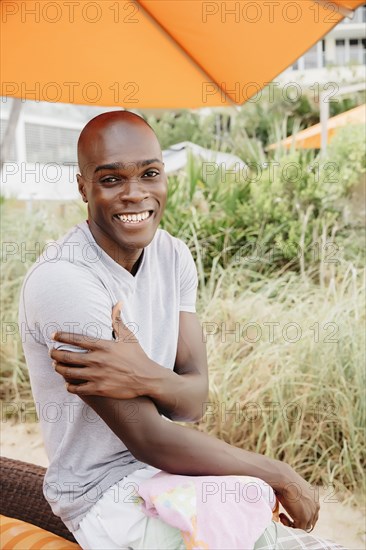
287 215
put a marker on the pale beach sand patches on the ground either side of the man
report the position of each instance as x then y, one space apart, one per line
338 520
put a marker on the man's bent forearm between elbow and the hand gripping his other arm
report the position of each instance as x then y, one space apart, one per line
179 397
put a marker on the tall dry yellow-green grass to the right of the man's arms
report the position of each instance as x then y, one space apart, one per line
287 370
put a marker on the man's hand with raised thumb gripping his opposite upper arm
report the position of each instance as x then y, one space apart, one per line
119 369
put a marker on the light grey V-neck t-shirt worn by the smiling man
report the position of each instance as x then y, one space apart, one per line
73 286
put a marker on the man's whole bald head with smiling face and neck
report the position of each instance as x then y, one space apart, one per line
123 181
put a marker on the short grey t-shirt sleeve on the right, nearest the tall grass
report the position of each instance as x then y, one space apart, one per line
188 280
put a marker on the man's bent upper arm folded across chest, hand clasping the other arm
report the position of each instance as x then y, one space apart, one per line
122 370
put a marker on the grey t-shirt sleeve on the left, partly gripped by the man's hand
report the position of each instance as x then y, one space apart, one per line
64 297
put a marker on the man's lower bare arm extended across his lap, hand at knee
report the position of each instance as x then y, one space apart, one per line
182 450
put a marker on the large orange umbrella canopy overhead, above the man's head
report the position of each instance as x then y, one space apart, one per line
156 54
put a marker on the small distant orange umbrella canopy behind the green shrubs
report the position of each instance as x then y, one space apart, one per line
310 138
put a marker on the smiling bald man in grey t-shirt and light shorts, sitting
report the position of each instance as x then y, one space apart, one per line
156 366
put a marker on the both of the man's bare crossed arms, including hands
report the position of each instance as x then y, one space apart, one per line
128 391
